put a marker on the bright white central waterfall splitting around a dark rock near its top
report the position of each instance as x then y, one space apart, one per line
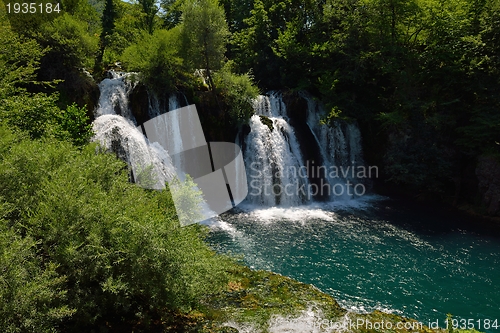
273 160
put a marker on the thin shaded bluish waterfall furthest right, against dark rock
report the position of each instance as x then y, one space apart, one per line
341 151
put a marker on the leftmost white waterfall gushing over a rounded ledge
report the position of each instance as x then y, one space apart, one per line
115 128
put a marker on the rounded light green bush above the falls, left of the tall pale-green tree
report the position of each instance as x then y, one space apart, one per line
156 58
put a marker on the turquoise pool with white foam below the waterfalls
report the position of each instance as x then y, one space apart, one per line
378 254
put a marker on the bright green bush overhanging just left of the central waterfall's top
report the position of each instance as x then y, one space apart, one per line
238 93
